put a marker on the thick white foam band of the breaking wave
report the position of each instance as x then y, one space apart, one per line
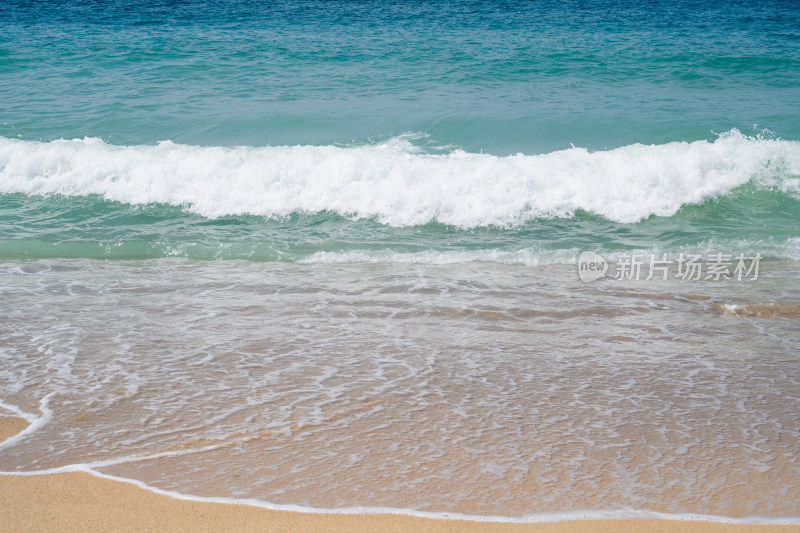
399 185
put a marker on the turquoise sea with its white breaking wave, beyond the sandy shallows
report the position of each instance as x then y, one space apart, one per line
417 83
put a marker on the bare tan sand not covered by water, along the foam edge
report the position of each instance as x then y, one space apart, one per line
82 502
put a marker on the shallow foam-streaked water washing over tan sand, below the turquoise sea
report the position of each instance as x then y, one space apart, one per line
475 388
